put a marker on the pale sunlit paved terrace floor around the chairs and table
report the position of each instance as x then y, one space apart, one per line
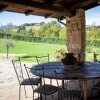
9 84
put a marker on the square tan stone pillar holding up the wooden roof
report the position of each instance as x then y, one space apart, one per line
76 35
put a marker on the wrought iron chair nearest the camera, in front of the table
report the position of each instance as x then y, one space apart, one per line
44 89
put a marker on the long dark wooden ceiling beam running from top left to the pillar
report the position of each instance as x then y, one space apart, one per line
40 6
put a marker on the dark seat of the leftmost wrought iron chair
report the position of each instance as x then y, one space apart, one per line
34 81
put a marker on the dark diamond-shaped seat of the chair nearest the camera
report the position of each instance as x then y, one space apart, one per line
46 89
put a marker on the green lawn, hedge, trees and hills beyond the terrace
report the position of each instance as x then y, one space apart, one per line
44 38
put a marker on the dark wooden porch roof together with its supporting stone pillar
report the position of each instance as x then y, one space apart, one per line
71 10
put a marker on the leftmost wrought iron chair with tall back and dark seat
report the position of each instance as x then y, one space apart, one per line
21 79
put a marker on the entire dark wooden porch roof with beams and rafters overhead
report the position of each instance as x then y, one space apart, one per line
47 8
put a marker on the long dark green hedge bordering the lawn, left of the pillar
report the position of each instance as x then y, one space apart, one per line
35 39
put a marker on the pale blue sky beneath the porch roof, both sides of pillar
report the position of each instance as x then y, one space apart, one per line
92 16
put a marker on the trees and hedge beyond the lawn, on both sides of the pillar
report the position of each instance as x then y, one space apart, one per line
51 32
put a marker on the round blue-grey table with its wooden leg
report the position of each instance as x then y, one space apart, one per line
56 70
